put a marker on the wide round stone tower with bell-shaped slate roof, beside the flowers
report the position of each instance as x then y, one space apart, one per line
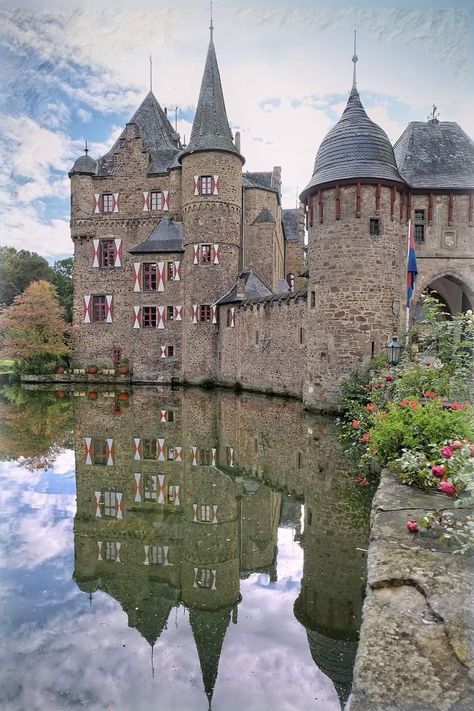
356 251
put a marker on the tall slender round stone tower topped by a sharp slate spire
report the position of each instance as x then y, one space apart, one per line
212 216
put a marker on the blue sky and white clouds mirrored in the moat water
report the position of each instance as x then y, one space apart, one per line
60 652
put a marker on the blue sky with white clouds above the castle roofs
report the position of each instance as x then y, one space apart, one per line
79 70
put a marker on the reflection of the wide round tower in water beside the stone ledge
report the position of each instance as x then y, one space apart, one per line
332 589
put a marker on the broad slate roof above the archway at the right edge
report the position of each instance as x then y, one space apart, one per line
435 154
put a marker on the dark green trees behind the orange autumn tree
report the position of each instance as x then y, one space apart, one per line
18 269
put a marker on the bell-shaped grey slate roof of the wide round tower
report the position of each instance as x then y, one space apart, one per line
354 148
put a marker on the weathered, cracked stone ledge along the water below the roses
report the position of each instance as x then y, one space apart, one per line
416 641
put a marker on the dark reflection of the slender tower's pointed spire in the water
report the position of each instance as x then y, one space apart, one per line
209 628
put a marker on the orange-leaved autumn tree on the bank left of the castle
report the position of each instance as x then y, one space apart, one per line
33 329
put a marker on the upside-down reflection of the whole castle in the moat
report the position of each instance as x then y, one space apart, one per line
180 496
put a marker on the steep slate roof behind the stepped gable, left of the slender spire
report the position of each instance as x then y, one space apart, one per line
159 138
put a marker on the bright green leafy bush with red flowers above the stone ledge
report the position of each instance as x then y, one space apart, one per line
408 425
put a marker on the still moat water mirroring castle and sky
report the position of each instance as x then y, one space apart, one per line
176 550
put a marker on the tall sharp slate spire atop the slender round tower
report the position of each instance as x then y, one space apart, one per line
211 131
